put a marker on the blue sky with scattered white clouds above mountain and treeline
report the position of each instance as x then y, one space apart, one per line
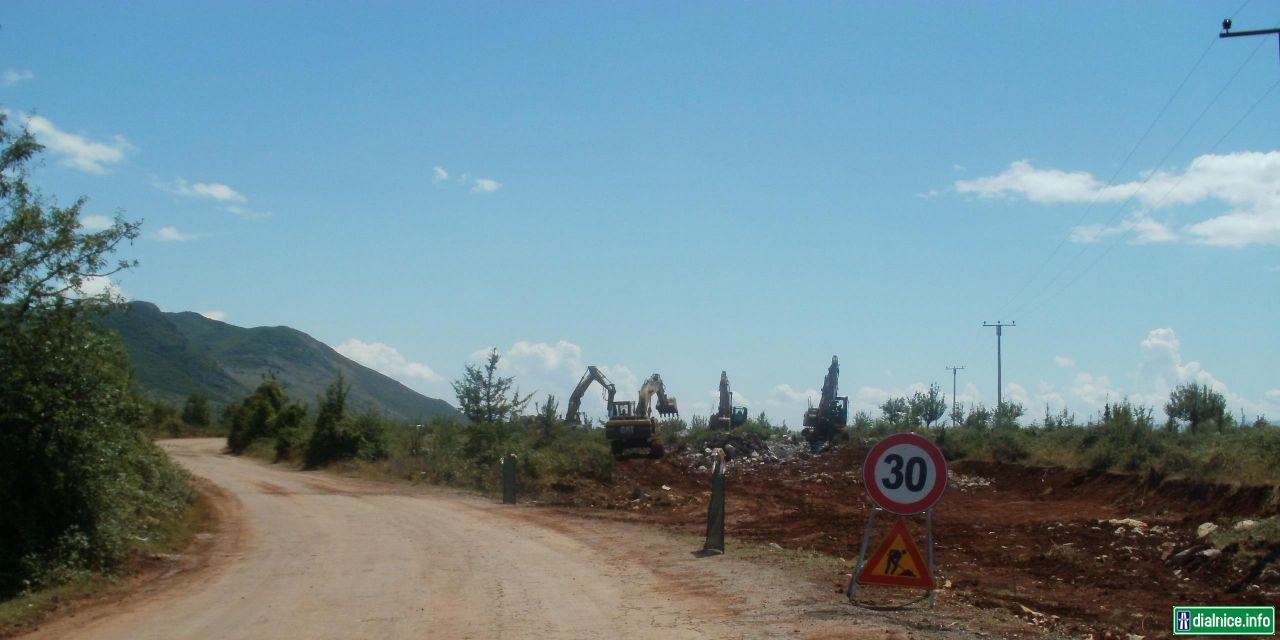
693 188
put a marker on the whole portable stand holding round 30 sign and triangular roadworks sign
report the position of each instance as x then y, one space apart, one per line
904 476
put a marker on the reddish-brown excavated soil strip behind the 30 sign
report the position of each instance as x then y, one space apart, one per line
1072 551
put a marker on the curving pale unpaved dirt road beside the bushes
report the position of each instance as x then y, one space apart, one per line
316 556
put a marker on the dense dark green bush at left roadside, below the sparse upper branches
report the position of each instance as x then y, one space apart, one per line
80 483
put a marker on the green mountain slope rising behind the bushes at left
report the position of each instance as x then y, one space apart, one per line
177 355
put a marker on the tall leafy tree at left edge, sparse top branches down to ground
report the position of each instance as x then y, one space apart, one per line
80 483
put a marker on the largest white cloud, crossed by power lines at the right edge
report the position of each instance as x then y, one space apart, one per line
1249 184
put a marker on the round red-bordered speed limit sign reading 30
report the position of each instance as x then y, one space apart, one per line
906 474
